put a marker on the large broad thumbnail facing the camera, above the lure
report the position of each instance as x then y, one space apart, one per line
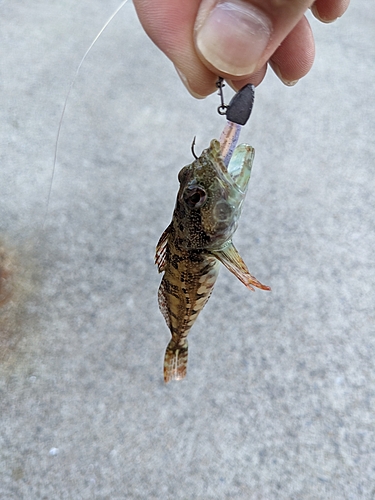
233 37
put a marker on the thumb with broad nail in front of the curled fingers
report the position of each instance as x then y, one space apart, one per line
237 37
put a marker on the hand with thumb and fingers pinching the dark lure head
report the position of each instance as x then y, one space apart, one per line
235 38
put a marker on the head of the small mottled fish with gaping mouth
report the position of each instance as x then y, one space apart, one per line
209 201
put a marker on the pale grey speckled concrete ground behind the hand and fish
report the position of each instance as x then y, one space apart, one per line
279 401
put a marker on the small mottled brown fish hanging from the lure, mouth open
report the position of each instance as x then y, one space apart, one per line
189 252
